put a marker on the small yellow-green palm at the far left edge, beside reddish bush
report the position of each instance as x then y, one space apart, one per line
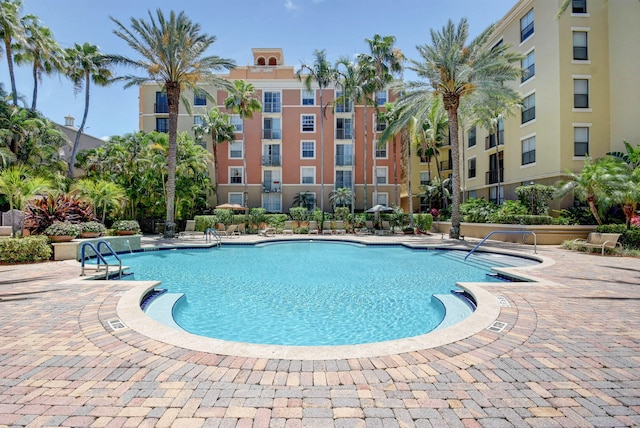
19 186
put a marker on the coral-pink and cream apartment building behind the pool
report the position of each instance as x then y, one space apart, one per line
283 142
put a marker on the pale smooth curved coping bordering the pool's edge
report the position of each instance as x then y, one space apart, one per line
487 311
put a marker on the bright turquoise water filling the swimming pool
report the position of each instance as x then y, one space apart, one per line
306 293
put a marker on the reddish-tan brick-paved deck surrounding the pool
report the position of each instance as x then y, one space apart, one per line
568 354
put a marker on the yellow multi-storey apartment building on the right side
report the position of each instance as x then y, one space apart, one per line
580 89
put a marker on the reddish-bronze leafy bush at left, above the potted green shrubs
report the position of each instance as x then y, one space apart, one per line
42 212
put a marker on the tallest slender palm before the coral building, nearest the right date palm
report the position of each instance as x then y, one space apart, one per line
384 61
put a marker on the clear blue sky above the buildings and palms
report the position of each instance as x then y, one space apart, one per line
297 26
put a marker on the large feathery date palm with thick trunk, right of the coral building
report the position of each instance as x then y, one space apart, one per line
454 70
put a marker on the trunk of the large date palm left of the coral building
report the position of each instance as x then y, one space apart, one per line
173 99
